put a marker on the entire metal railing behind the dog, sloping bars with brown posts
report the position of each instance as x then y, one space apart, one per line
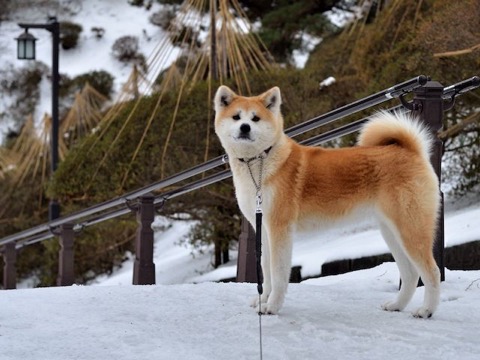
141 199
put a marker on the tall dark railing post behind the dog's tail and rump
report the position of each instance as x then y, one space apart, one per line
428 106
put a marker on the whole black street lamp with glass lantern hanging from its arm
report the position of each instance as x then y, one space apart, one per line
26 51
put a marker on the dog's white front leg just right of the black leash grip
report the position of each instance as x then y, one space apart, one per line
280 256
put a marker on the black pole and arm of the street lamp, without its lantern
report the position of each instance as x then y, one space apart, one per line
54 27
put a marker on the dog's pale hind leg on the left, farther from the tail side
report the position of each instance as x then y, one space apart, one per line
408 272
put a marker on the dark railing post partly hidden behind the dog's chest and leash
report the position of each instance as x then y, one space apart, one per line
246 263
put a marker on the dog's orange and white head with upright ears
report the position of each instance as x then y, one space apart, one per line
247 126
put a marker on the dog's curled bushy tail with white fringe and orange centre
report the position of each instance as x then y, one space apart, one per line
386 128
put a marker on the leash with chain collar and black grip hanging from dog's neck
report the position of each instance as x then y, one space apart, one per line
258 234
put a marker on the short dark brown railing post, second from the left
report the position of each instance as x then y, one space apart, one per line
66 239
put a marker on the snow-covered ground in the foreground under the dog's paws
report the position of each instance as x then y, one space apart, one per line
335 317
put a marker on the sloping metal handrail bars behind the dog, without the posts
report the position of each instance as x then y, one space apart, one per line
119 206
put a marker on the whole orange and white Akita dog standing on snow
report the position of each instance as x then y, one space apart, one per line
388 173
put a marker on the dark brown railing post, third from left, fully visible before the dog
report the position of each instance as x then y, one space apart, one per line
144 268
